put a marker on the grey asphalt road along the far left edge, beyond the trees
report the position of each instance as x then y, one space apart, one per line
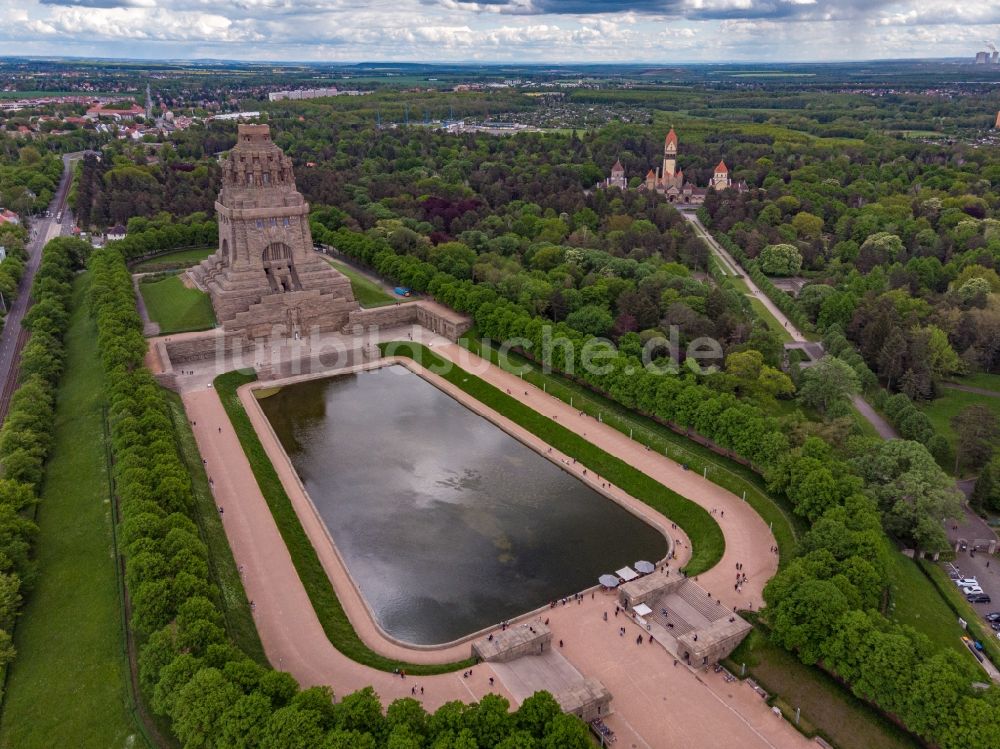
43 229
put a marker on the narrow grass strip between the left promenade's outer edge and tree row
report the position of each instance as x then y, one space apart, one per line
234 604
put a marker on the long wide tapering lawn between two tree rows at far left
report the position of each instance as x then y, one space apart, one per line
67 687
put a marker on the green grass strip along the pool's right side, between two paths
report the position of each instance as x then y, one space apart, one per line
707 541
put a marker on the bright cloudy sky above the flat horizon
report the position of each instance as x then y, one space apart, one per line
648 31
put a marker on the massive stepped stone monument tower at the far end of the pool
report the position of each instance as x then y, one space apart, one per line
265 273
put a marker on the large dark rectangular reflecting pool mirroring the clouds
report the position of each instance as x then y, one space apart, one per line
447 523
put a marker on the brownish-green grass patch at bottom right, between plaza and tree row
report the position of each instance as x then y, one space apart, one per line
832 710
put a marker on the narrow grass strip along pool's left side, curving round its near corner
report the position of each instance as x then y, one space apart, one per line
307 564
